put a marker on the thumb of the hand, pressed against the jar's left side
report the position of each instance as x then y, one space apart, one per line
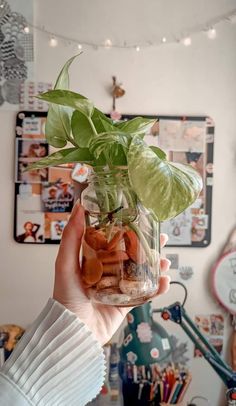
71 239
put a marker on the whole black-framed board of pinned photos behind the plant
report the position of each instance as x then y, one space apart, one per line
44 198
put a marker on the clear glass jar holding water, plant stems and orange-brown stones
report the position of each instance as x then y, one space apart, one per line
120 262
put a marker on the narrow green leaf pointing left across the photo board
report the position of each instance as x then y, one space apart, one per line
68 155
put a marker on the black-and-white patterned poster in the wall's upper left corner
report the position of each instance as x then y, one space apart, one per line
16 50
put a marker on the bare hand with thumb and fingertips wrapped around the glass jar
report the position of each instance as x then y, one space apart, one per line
102 320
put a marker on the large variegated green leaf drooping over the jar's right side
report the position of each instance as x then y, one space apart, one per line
163 187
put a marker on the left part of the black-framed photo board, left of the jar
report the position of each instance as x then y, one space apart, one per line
43 198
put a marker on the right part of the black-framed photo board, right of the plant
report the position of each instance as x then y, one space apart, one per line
188 140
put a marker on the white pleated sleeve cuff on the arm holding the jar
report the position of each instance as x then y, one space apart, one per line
57 362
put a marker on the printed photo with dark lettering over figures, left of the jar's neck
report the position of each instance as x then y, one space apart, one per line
57 197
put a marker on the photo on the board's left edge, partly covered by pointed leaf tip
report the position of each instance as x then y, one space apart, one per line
28 151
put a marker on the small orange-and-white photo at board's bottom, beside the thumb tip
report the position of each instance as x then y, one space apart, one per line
55 224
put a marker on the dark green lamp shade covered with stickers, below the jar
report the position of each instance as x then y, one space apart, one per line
145 341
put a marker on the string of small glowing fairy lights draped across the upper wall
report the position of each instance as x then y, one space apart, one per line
209 29
